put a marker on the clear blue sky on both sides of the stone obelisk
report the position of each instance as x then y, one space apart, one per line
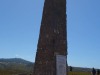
20 23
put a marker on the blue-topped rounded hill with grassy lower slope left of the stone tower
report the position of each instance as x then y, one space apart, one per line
16 65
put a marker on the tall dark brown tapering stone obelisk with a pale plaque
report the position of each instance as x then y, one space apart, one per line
51 55
